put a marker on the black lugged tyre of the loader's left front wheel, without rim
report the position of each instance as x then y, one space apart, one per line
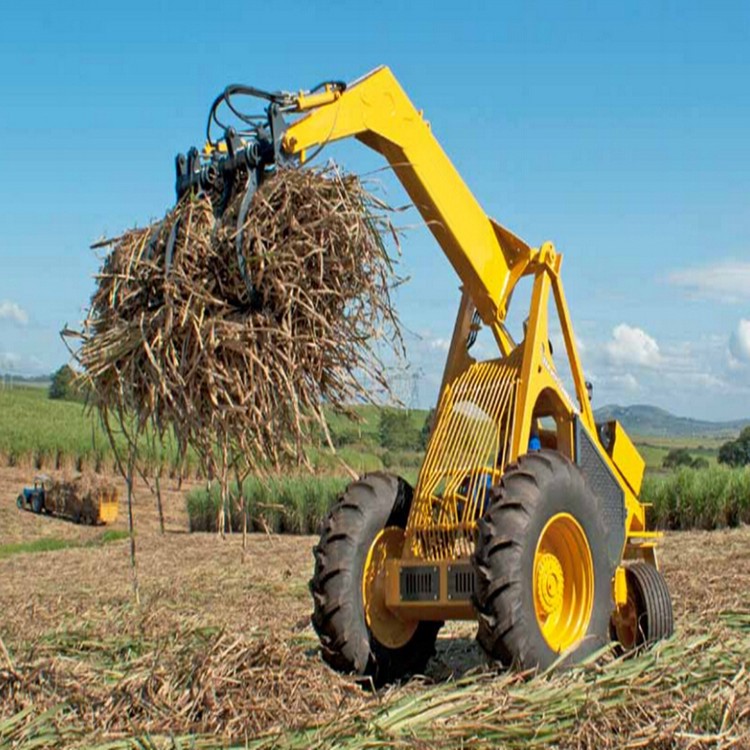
375 505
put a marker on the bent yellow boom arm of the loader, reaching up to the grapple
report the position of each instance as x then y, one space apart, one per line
377 112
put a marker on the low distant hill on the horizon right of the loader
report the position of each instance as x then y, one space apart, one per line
652 421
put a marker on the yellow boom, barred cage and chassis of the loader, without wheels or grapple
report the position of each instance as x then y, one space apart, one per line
487 411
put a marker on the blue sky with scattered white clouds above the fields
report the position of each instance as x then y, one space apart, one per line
618 131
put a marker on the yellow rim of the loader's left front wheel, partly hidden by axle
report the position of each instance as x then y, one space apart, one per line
385 625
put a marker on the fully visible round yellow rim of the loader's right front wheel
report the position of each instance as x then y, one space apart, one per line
563 581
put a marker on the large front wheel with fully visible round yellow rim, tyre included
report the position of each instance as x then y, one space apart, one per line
543 575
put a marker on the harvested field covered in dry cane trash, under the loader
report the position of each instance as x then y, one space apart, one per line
223 649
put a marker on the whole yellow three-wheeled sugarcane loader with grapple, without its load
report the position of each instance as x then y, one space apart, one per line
525 515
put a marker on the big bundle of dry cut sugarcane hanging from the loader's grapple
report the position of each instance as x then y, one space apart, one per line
236 333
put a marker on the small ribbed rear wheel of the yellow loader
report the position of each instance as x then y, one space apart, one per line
647 617
